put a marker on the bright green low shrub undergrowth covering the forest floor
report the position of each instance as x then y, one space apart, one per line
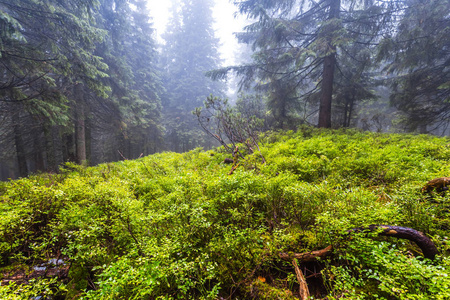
178 226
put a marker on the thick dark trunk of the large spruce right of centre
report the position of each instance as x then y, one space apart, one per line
329 63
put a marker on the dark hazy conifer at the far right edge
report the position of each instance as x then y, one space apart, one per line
419 57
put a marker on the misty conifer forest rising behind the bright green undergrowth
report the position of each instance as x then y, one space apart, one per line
87 81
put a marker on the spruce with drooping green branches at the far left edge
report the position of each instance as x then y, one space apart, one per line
43 46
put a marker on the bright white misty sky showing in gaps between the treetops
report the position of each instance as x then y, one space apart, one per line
225 25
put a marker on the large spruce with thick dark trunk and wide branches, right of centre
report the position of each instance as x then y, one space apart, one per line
304 44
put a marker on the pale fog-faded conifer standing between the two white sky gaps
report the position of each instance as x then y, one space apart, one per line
189 52
